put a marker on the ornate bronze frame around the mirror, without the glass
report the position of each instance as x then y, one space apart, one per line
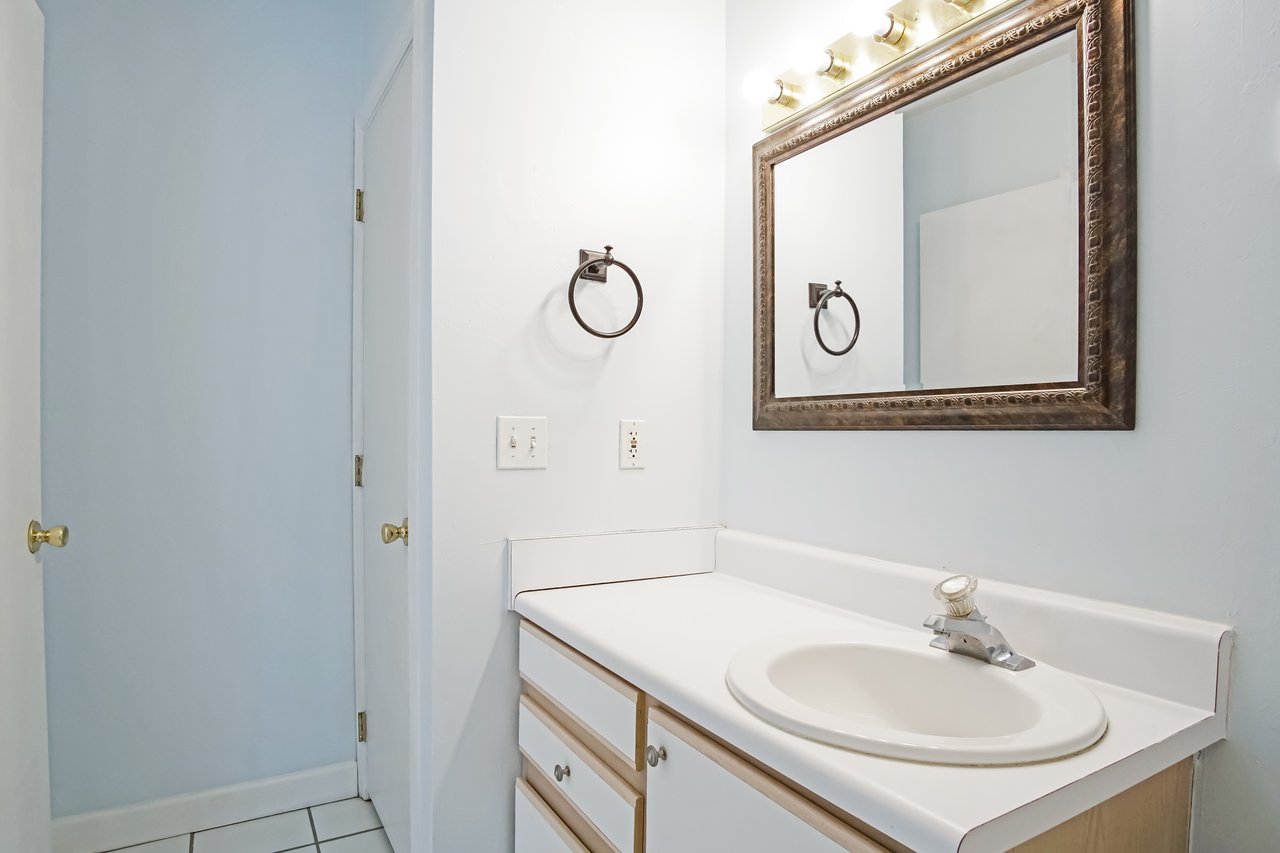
1104 395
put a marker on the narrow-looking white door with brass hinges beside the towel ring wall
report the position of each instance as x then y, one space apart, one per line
386 348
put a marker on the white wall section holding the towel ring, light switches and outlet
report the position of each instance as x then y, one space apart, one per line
609 127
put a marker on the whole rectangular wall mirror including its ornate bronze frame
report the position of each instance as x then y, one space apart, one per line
979 209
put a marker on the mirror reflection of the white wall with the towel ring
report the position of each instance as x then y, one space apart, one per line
839 216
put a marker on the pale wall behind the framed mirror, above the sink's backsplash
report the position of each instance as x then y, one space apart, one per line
1178 516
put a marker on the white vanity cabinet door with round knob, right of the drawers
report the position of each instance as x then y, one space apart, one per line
703 797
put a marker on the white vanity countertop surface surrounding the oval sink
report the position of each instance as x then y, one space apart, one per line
675 637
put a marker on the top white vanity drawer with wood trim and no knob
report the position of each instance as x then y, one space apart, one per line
601 703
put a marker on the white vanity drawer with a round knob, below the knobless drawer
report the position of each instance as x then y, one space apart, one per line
614 808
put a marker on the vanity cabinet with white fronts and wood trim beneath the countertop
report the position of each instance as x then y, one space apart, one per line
609 770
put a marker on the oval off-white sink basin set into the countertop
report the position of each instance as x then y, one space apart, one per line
897 700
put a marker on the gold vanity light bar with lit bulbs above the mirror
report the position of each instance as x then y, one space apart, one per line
911 28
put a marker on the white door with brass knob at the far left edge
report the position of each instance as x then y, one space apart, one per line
24 727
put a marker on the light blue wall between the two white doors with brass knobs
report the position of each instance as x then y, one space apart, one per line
196 393
